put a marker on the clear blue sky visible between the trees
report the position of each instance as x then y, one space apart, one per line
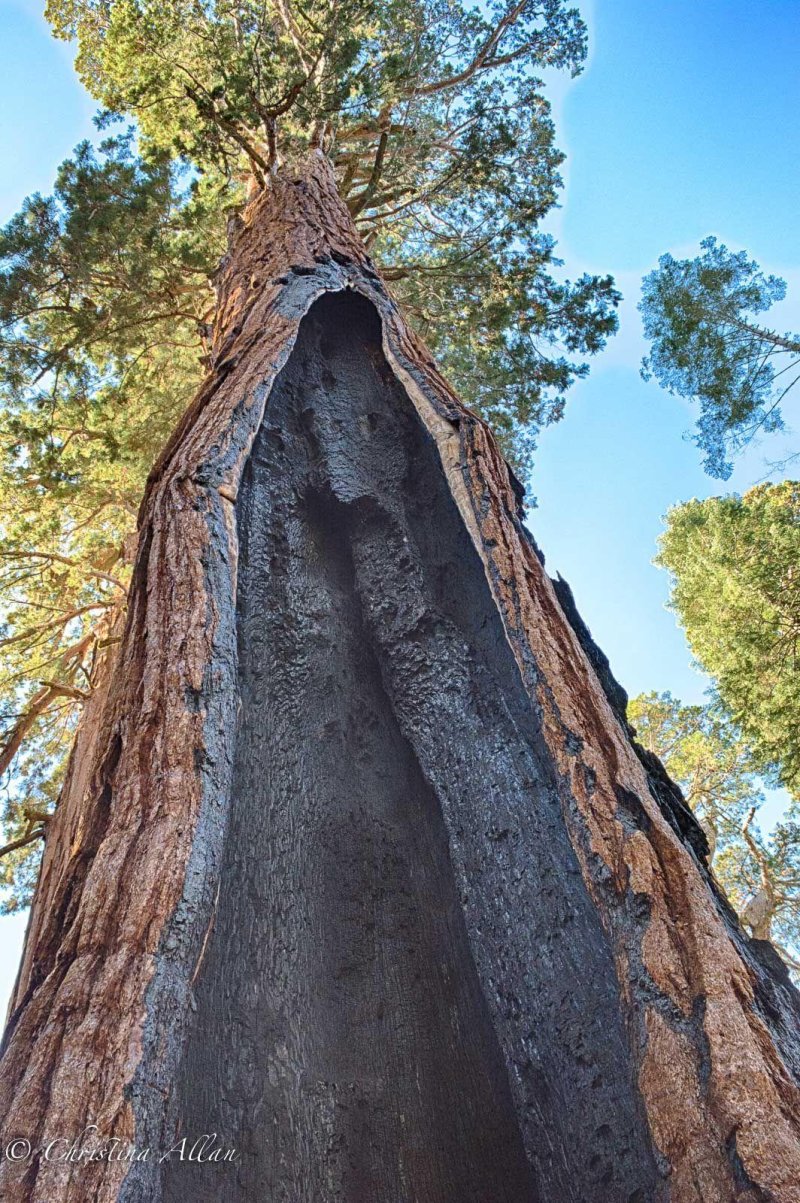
684 125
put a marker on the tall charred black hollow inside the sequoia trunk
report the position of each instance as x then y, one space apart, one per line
407 995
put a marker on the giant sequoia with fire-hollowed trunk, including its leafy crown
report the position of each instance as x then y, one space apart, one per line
355 862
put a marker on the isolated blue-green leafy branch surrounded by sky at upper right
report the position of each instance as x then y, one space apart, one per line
706 346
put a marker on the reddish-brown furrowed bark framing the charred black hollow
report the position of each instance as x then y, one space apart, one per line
129 876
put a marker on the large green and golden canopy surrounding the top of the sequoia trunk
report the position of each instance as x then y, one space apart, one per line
435 120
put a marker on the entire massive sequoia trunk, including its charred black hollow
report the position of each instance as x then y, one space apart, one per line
357 864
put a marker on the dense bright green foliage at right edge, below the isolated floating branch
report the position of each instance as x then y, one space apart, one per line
736 564
